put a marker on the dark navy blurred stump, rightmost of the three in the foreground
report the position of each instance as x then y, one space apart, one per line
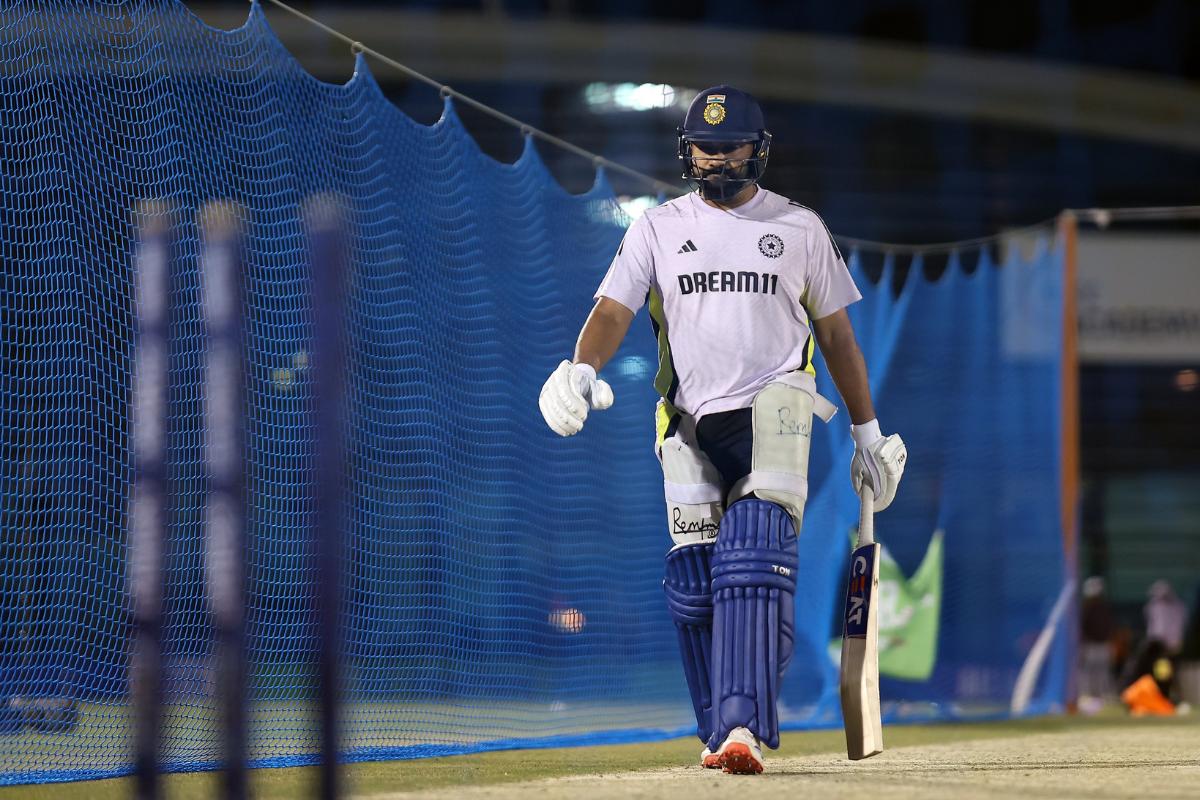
325 225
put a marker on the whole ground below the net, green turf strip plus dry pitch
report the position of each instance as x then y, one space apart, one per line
1057 759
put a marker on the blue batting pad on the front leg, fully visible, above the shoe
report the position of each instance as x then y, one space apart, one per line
754 586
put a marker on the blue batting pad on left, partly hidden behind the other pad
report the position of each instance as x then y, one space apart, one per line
691 603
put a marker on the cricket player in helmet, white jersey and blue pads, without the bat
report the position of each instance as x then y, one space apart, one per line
741 284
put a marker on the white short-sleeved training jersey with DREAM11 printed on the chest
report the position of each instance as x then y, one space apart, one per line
731 293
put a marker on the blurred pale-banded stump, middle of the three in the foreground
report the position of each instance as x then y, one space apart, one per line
225 423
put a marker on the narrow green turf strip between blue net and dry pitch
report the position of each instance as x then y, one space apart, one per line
383 778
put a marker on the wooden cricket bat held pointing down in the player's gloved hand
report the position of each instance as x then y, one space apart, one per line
861 642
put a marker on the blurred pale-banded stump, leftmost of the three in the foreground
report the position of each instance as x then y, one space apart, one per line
148 510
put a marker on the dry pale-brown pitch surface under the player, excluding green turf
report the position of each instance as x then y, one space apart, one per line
1099 765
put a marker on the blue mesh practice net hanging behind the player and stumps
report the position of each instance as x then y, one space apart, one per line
503 586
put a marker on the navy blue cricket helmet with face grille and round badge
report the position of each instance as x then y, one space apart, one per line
721 121
